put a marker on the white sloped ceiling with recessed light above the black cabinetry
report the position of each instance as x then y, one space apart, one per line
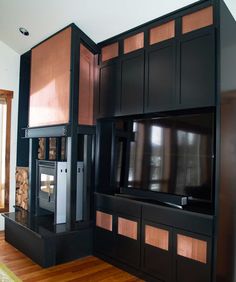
99 19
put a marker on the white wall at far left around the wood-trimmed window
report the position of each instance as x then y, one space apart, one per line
9 80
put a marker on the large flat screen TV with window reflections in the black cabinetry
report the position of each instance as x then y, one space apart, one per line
172 155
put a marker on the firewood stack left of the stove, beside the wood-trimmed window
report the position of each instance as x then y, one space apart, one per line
22 186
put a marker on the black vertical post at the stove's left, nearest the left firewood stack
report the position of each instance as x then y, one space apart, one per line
33 152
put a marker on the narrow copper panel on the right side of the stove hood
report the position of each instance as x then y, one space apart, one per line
86 86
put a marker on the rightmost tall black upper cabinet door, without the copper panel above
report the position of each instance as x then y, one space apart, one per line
197 69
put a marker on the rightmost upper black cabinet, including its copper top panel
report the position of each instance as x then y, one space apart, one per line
197 59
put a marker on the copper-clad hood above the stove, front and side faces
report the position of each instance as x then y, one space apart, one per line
58 79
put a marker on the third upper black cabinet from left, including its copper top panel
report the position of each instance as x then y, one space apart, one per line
160 61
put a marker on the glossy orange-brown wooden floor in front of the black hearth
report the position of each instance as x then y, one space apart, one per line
86 269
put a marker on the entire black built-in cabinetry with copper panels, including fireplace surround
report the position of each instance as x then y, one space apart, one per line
184 60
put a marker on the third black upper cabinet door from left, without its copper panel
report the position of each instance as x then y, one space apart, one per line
160 90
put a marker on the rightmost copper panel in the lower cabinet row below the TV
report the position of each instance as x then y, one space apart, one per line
192 248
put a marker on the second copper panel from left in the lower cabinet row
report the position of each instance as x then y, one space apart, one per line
128 228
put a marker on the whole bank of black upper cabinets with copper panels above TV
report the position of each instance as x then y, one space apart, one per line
166 65
